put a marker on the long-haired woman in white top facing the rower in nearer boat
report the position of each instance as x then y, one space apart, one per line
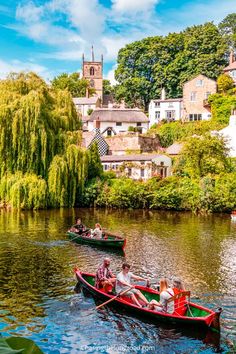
165 294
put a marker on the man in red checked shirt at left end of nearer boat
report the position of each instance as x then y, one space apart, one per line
104 278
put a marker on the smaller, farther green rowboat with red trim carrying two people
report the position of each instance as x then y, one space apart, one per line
107 240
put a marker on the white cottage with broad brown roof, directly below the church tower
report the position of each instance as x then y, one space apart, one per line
113 121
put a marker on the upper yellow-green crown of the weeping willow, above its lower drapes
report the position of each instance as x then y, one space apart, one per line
34 121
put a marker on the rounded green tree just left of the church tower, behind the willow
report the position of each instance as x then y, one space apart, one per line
72 82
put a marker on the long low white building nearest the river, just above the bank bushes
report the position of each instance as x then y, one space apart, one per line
139 166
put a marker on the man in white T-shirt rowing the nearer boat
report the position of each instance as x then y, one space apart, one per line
123 282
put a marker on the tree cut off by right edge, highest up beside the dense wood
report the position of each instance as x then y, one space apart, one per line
227 28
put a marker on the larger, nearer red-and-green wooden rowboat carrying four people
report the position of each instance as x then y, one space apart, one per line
195 315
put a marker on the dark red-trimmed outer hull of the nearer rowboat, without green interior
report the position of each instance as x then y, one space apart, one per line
206 321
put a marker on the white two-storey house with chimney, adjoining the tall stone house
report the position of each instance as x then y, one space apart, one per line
169 109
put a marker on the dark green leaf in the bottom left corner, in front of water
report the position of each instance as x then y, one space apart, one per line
11 345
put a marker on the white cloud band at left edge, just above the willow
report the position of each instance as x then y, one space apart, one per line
18 66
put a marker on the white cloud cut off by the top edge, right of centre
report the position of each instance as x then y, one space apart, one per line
133 6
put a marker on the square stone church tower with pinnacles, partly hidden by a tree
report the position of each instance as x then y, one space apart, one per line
93 72
